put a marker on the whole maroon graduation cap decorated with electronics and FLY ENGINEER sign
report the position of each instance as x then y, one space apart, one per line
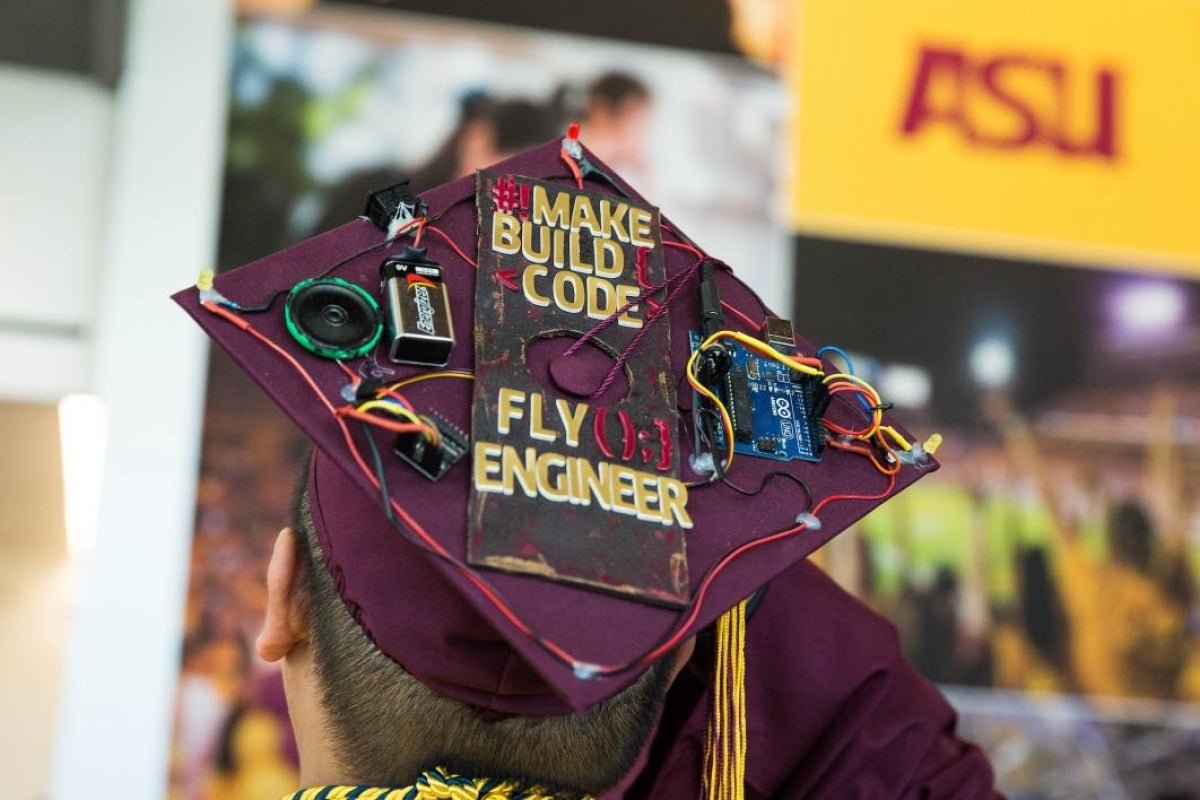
553 437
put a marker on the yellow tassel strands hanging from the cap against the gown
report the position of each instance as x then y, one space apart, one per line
725 759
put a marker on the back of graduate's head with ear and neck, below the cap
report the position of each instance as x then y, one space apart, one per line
362 718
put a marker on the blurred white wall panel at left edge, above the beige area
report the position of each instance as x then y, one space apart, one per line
56 136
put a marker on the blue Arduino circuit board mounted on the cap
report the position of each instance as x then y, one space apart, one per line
776 413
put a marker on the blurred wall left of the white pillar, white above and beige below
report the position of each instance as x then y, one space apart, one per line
56 139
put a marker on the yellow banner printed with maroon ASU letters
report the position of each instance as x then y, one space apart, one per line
1060 130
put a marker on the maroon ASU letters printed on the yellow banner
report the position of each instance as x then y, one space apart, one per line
1015 101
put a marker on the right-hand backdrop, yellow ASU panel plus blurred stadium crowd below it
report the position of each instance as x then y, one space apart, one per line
994 204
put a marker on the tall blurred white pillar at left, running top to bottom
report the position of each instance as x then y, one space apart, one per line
148 363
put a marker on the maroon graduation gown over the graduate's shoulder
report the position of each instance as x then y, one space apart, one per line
835 711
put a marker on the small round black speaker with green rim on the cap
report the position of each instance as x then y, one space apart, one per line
333 318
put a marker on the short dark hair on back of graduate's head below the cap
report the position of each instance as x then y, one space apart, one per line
388 727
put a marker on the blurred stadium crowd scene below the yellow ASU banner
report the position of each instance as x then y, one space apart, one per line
1055 555
